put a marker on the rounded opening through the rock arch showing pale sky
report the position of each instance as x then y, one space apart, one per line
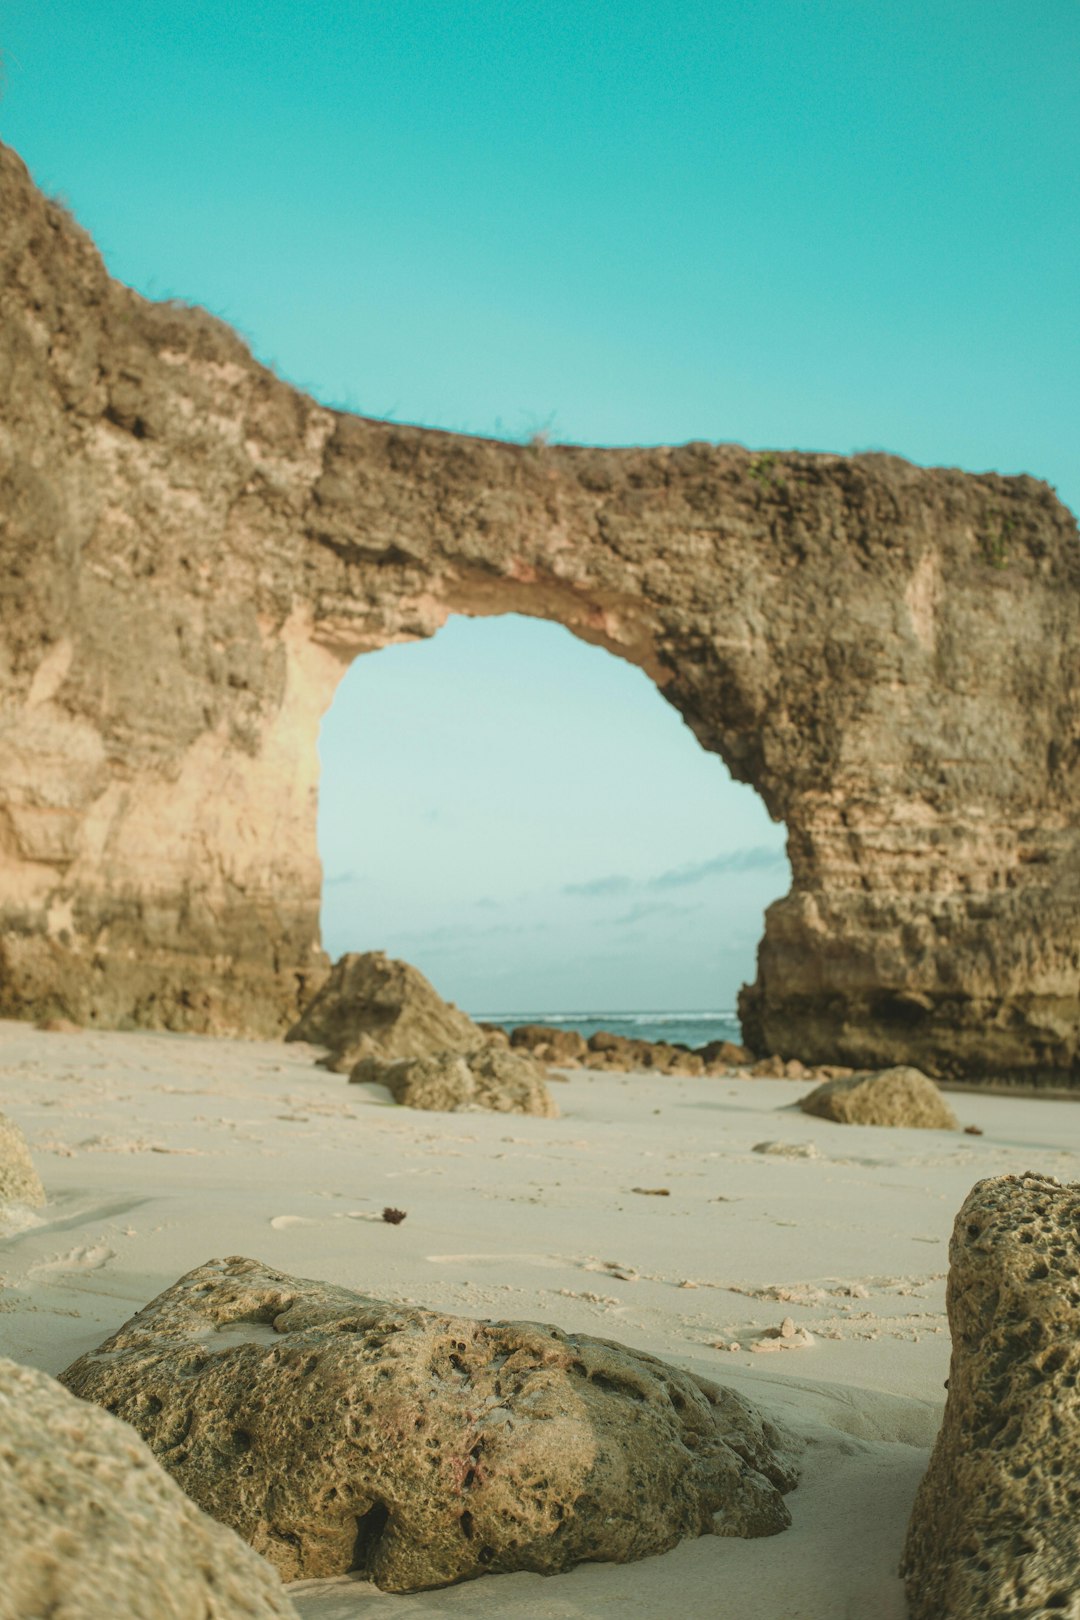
532 825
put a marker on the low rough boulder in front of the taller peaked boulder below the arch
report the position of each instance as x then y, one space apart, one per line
488 1078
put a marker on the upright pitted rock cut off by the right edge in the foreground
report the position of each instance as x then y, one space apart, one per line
995 1528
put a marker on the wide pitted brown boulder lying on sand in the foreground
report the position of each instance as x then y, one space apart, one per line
341 1433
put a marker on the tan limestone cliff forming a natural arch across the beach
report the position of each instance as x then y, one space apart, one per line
192 553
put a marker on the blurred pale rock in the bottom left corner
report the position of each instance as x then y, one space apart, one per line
96 1530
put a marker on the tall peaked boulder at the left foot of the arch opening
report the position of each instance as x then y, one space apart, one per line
375 1005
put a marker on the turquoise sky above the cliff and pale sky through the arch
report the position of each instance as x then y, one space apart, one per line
823 224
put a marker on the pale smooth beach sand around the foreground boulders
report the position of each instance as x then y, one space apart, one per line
159 1153
